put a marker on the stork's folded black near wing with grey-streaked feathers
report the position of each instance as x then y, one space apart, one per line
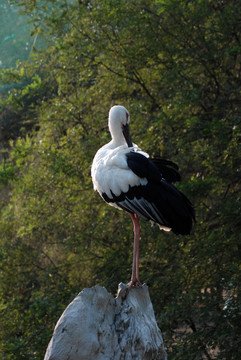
158 200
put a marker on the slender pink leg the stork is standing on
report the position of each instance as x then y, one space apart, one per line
135 266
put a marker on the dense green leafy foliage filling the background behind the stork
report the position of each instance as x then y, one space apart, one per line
176 65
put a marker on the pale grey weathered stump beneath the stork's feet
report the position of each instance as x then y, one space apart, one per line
95 326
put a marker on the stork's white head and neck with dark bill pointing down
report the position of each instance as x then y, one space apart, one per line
119 118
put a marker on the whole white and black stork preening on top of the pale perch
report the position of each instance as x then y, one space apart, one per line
128 179
